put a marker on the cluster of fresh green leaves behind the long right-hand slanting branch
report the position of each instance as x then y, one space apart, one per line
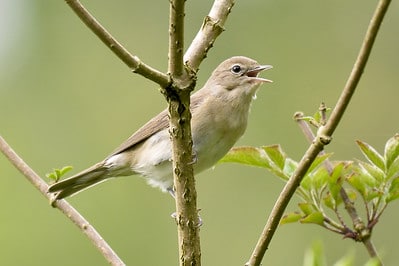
328 185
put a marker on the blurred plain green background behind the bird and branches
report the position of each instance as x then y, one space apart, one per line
65 99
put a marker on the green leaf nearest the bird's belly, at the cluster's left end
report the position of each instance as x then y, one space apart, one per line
247 155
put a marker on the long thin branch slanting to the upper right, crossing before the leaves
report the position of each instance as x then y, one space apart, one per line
323 136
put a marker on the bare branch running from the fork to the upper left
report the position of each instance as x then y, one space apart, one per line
133 62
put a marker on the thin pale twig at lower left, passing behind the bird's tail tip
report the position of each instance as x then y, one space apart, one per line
62 205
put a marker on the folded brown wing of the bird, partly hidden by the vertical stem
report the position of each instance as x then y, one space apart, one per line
156 124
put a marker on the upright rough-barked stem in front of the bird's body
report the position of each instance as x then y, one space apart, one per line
178 96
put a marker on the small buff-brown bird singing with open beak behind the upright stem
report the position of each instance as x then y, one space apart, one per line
219 111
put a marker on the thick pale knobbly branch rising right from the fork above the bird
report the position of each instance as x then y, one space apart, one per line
211 28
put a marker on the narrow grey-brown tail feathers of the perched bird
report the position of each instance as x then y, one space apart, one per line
72 185
